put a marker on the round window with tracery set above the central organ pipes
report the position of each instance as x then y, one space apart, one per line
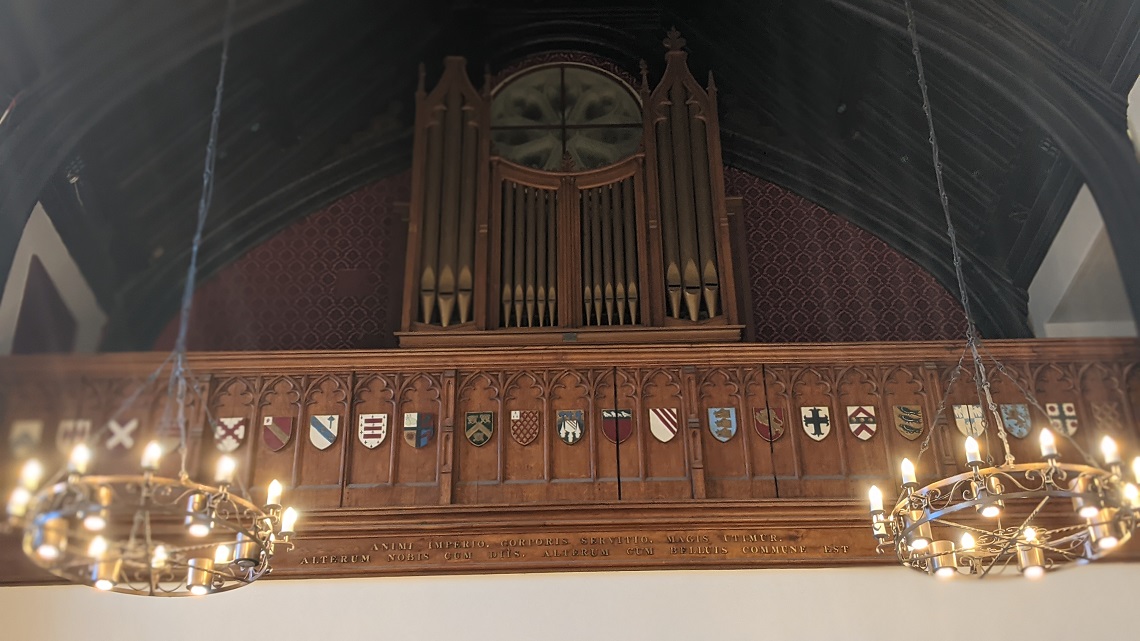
545 112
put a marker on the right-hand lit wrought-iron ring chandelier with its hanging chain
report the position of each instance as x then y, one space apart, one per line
1033 517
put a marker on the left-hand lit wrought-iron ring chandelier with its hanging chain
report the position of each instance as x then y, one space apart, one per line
144 533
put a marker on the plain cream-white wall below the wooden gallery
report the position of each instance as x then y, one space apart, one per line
859 604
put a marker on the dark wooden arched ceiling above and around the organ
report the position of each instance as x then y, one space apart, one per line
820 96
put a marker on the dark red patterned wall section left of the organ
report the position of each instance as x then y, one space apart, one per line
331 281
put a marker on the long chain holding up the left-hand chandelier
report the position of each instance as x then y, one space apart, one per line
178 374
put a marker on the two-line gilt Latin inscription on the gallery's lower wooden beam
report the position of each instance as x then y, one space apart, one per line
425 553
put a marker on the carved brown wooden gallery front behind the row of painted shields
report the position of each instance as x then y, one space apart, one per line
527 464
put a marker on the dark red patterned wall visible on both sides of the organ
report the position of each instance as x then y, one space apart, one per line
333 281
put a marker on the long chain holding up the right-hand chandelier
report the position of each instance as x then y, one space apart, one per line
972 335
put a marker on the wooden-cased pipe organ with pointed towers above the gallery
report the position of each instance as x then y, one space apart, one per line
566 206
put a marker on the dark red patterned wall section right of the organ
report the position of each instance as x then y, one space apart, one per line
817 278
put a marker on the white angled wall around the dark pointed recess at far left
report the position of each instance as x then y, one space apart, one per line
42 240
